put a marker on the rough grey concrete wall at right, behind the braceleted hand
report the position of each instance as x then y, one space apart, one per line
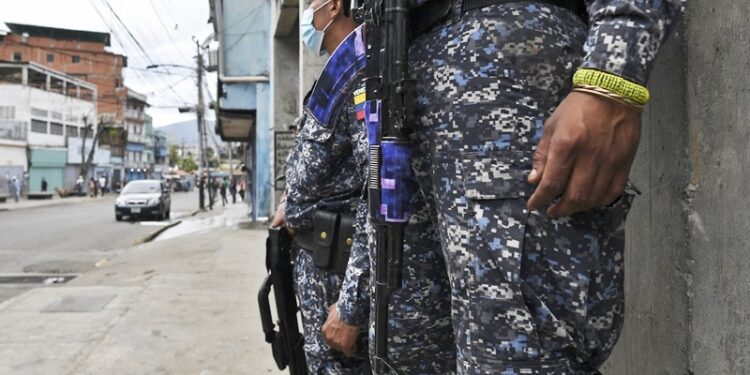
688 288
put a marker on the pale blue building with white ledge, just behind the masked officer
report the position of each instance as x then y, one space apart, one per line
243 108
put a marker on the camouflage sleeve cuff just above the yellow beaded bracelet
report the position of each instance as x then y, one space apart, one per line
625 35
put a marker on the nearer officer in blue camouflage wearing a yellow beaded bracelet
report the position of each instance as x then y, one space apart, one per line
528 172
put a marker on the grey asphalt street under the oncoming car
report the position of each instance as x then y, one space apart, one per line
71 238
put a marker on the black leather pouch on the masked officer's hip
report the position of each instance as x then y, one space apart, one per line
330 241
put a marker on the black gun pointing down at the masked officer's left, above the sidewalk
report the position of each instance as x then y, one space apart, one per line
286 343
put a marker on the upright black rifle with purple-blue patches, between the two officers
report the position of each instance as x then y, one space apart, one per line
391 180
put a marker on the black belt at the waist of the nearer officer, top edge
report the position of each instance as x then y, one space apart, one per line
431 12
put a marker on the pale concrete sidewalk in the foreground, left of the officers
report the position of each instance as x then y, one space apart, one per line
184 305
